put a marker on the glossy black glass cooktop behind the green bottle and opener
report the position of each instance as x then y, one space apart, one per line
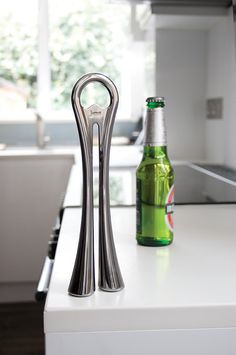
194 184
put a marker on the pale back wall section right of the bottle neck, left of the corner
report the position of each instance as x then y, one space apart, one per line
181 79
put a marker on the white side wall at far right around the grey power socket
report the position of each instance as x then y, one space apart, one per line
221 82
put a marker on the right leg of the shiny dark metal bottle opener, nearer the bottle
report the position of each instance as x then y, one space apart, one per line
110 278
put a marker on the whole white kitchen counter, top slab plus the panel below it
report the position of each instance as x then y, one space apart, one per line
178 299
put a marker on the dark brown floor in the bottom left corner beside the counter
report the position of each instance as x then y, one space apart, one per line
21 329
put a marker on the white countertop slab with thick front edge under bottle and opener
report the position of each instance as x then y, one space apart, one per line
189 284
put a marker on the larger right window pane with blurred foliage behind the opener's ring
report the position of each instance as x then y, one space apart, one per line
85 36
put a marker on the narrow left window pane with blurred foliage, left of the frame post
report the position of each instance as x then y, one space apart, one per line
18 55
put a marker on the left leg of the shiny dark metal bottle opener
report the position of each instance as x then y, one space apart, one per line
83 280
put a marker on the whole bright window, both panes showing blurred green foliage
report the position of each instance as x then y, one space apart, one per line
40 68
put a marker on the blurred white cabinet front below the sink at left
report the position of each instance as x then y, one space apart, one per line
32 188
